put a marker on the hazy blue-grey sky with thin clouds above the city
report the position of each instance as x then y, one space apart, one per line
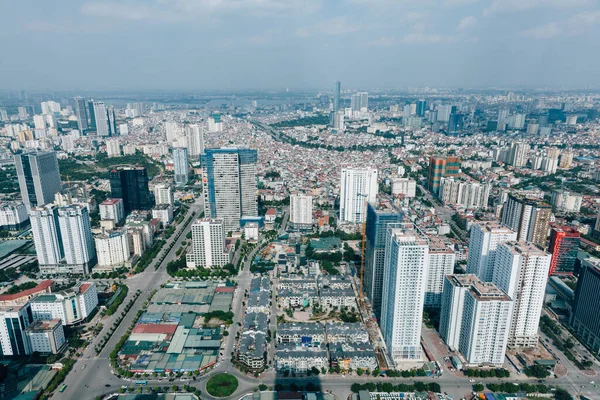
298 44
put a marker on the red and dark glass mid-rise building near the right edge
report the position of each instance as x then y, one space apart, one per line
564 245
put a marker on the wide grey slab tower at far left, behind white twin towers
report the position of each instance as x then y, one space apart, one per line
39 177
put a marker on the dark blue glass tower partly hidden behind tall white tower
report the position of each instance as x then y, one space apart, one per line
378 218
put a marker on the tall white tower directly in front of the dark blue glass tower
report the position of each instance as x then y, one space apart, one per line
405 280
